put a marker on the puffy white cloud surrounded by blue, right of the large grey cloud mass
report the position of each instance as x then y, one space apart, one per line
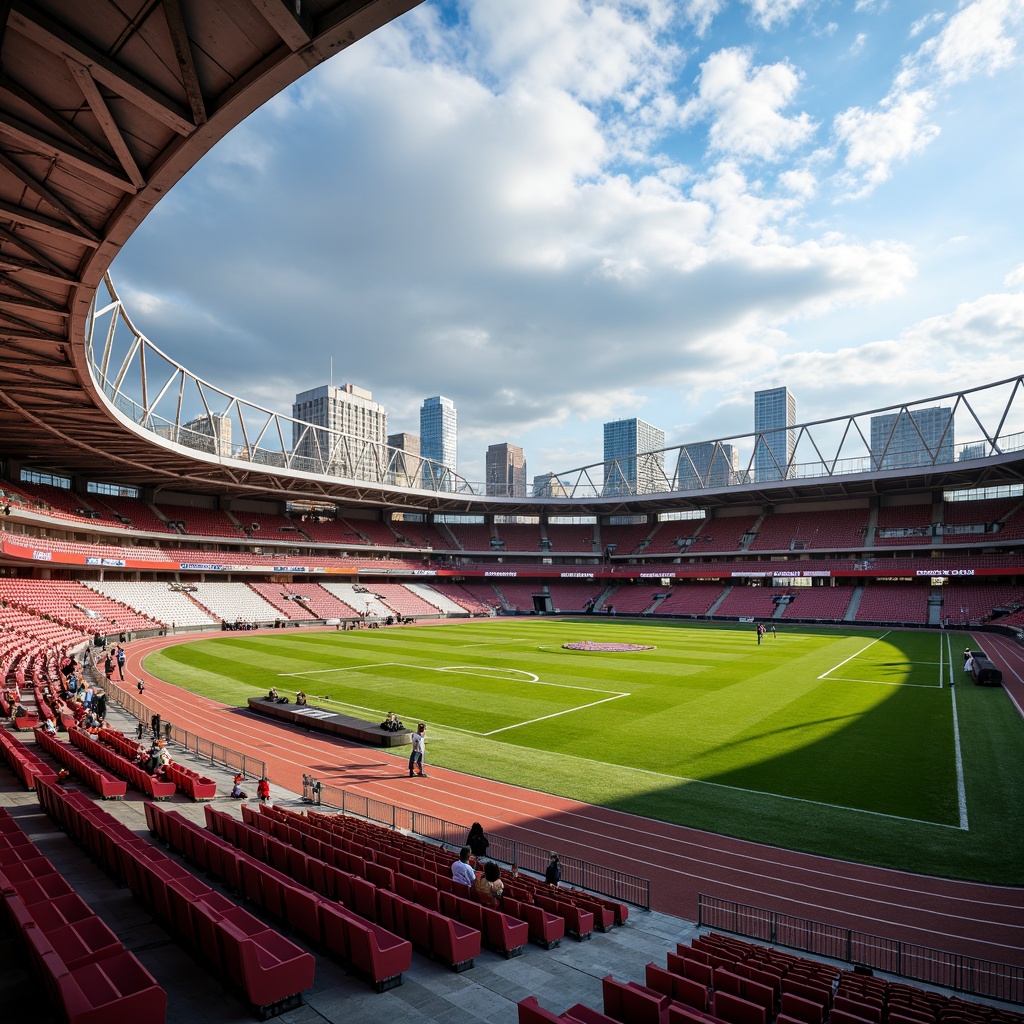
744 105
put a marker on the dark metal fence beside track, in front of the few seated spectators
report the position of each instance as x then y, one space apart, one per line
617 885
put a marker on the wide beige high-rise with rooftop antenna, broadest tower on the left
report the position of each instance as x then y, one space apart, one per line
348 434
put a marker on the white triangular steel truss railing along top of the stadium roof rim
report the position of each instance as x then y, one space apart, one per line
159 396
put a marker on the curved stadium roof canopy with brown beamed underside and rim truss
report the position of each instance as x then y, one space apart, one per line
105 105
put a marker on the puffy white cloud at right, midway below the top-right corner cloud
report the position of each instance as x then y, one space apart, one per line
874 141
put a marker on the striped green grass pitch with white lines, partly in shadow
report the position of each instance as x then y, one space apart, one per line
842 742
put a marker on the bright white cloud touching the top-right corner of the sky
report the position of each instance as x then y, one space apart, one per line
975 40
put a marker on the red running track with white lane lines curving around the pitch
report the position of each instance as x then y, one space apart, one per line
966 918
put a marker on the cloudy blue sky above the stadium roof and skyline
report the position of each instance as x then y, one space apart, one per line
559 214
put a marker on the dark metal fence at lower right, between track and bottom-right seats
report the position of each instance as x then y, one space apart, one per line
935 967
